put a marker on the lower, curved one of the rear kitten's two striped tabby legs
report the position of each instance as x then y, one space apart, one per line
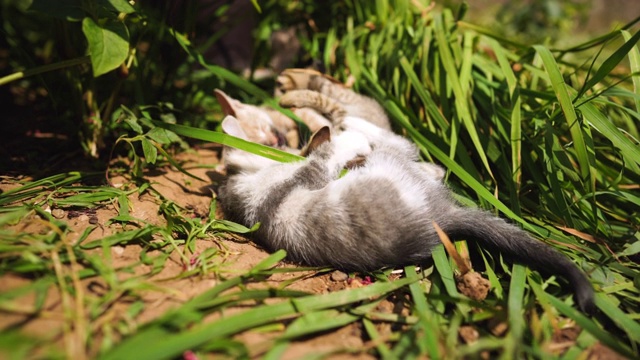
330 108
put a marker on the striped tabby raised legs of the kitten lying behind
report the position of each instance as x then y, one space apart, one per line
304 88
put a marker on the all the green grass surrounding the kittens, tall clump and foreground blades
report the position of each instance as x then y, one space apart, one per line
538 135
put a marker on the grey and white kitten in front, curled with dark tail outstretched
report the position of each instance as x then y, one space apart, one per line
380 214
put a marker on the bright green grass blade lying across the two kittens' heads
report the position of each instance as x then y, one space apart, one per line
232 141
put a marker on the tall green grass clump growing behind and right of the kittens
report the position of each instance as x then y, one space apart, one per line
546 137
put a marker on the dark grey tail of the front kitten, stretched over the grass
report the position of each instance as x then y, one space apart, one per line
517 245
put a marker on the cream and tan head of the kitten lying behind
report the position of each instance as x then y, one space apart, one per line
255 123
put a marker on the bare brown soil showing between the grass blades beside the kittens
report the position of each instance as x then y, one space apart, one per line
168 289
